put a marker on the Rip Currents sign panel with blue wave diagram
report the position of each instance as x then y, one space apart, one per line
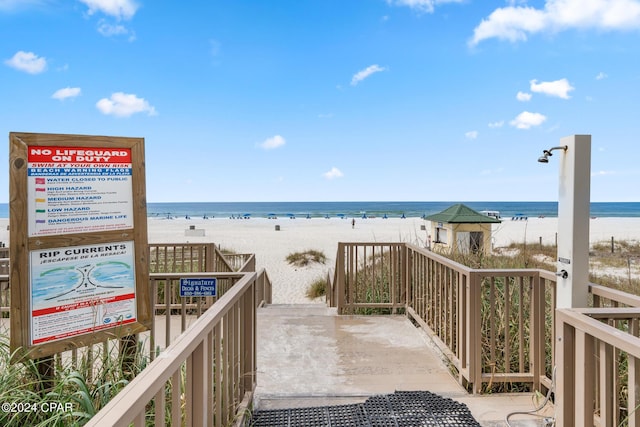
81 289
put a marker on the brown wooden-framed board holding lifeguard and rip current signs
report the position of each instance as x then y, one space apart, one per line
77 206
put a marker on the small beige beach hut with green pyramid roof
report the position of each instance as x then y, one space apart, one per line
461 229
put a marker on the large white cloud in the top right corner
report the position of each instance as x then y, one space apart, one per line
516 23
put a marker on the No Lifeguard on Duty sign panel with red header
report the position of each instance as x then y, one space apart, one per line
78 190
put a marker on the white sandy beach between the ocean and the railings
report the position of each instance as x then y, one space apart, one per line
271 247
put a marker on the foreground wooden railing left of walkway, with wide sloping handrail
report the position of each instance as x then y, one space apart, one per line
204 376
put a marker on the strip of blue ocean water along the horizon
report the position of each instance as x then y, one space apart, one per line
358 209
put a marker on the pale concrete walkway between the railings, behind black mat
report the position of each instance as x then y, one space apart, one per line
309 356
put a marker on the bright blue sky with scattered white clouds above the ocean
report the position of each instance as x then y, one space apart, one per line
334 100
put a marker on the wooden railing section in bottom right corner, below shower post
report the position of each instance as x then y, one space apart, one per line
598 377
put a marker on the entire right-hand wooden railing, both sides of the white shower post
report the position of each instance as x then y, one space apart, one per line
501 326
